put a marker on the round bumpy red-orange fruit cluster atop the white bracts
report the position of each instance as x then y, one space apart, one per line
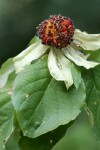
56 31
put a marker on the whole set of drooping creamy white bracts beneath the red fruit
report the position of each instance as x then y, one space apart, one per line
60 60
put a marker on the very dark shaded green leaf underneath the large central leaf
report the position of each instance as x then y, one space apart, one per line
44 142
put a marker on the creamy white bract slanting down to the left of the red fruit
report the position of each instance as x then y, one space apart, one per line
33 52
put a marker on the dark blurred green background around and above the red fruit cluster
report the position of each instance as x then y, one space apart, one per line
19 18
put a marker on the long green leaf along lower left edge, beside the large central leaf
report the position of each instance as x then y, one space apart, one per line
6 110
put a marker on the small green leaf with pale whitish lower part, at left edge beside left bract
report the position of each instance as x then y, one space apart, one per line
6 69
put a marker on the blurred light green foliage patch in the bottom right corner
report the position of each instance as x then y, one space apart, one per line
79 136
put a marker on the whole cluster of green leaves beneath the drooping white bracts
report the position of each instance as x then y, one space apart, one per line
36 110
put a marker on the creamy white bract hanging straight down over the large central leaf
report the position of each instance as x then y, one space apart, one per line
60 67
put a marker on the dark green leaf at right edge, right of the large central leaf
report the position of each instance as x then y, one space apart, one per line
92 81
